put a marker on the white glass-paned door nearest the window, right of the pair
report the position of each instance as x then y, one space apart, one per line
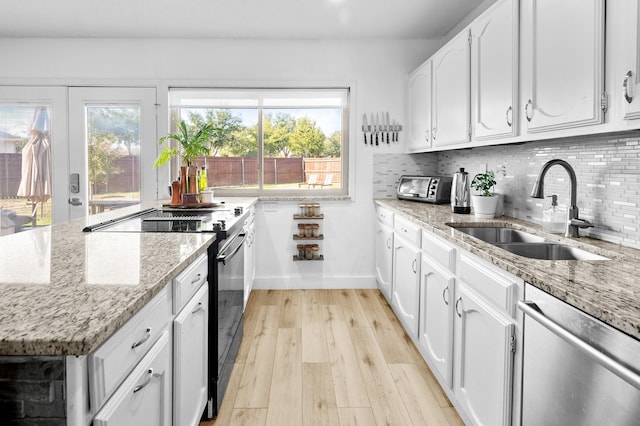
112 147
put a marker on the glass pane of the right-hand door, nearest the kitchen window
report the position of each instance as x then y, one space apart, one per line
113 156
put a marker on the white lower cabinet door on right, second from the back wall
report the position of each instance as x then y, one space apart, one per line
406 282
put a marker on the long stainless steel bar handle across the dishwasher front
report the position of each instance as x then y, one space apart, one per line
611 364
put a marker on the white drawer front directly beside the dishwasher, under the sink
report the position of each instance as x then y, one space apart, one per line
497 287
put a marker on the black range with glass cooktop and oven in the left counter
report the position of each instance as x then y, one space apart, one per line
225 277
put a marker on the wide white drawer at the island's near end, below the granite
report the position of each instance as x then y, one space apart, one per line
111 362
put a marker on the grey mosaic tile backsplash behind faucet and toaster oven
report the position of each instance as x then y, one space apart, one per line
607 169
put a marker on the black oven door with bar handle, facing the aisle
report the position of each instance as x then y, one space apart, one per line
230 265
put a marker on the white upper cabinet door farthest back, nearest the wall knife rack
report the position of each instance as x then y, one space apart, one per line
419 92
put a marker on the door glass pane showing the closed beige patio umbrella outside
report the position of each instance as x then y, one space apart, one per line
25 167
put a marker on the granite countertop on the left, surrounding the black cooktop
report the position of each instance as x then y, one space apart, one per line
64 291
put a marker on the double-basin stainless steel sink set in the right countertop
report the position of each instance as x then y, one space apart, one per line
527 245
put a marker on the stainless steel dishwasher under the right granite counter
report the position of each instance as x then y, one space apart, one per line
576 369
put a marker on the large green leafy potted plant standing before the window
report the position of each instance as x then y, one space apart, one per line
192 144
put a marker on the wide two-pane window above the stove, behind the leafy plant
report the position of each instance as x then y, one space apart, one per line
270 141
